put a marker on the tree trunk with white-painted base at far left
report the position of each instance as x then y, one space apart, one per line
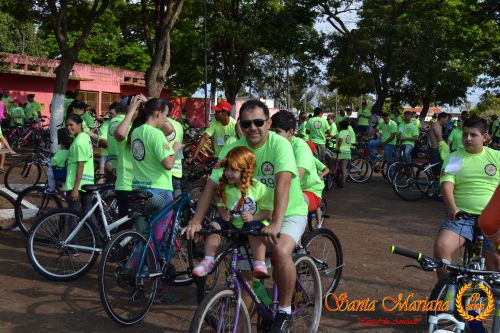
57 103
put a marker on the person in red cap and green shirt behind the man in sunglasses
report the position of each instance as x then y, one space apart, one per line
221 130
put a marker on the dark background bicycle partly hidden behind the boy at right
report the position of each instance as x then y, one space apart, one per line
413 182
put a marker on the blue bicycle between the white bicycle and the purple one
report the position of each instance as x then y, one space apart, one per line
132 265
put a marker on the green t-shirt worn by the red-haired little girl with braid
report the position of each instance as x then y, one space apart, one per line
257 199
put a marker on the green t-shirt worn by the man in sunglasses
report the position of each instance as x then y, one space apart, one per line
273 157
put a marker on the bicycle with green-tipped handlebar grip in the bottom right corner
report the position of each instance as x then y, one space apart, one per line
452 320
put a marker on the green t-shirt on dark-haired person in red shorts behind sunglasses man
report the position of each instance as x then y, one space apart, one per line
305 159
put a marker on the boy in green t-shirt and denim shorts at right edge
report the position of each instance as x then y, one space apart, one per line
468 181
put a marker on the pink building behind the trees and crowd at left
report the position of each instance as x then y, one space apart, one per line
96 85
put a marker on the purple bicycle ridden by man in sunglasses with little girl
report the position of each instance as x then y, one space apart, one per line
223 310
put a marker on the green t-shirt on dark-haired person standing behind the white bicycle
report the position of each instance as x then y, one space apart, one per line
80 151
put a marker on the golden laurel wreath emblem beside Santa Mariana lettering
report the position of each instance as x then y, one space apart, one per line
475 304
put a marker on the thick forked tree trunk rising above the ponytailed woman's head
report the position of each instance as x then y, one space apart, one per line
158 19
